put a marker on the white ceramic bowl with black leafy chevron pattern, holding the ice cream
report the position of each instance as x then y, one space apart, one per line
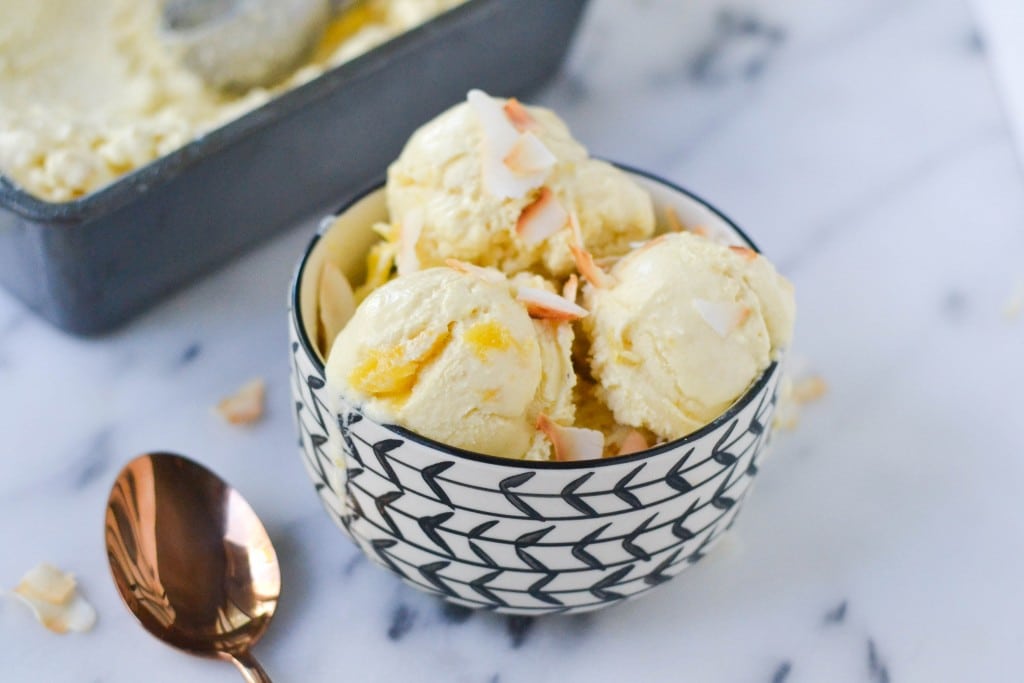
511 536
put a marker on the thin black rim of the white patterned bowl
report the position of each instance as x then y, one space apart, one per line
726 417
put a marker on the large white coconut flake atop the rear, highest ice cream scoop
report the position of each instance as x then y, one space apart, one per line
500 137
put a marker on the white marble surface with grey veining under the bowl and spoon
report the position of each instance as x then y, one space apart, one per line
863 145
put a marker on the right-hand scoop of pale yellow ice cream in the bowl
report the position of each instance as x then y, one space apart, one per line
684 329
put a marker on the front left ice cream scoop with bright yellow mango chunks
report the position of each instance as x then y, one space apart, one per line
455 358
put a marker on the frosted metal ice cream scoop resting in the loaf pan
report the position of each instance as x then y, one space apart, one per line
235 46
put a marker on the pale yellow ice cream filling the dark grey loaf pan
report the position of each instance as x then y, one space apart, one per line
90 93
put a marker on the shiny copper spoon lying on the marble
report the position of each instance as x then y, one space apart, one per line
192 560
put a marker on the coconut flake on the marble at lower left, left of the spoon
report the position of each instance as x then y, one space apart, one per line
52 596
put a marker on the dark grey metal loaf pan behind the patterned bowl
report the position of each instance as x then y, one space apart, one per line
91 265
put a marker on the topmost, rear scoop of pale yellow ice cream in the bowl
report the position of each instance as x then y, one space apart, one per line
442 173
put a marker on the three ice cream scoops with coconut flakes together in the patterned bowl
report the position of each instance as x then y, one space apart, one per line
470 331
